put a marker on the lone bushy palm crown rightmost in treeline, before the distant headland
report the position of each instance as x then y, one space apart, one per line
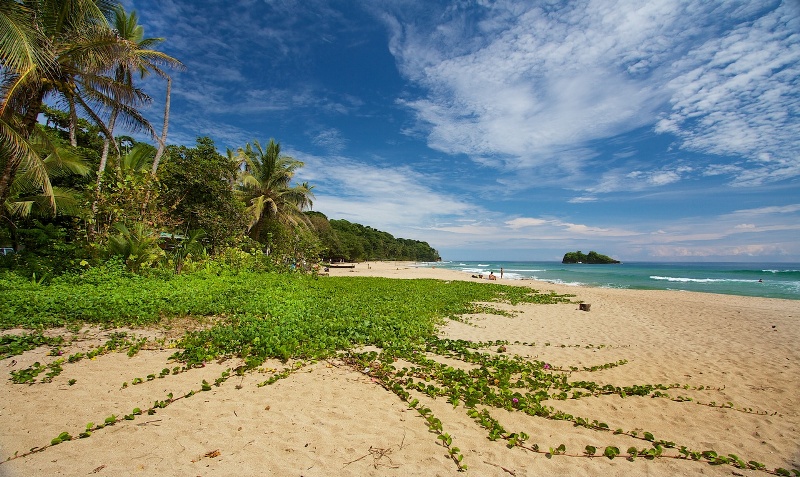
267 191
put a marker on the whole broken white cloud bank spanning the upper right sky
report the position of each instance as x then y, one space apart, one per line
516 85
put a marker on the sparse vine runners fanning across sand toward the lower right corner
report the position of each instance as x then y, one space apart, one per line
514 384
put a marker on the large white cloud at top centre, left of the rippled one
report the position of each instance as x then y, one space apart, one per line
536 89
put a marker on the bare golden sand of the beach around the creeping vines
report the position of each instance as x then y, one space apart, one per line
328 419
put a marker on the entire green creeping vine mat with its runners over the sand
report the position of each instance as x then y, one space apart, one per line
299 320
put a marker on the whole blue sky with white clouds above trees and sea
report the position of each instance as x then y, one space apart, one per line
517 130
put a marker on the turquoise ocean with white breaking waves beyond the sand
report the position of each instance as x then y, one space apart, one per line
772 280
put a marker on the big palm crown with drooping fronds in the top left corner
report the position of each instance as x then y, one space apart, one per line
60 49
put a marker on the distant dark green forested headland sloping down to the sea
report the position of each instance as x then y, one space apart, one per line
344 240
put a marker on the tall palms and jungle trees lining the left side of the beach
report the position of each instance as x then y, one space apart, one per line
77 187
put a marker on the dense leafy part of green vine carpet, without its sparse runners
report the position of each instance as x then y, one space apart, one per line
268 314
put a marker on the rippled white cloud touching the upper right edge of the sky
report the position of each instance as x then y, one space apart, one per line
736 94
